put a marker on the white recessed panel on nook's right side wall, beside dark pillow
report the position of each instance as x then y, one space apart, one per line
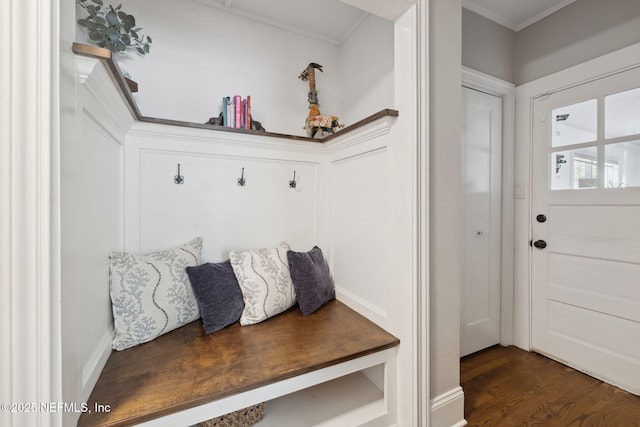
361 223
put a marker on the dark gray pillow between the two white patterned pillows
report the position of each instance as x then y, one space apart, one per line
217 293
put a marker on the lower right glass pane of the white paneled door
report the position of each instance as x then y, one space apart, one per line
622 164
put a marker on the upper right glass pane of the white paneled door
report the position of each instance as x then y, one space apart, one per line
622 114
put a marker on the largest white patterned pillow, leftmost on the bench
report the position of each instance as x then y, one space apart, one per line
151 294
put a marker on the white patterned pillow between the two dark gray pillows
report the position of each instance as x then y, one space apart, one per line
265 282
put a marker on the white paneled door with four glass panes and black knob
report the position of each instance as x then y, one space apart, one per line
585 257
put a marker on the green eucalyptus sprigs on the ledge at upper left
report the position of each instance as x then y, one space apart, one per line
112 28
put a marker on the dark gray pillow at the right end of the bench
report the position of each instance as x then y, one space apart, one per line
311 279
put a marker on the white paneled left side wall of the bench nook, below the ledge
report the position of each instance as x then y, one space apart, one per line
91 224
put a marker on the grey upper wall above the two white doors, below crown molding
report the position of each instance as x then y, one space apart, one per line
584 30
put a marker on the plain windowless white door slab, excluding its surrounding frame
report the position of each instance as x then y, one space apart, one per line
481 166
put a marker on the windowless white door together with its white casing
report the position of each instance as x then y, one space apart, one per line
488 201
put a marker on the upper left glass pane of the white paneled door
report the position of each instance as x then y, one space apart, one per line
574 124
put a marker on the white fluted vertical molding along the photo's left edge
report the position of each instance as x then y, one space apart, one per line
29 295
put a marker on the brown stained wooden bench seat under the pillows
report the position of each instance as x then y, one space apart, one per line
187 368
